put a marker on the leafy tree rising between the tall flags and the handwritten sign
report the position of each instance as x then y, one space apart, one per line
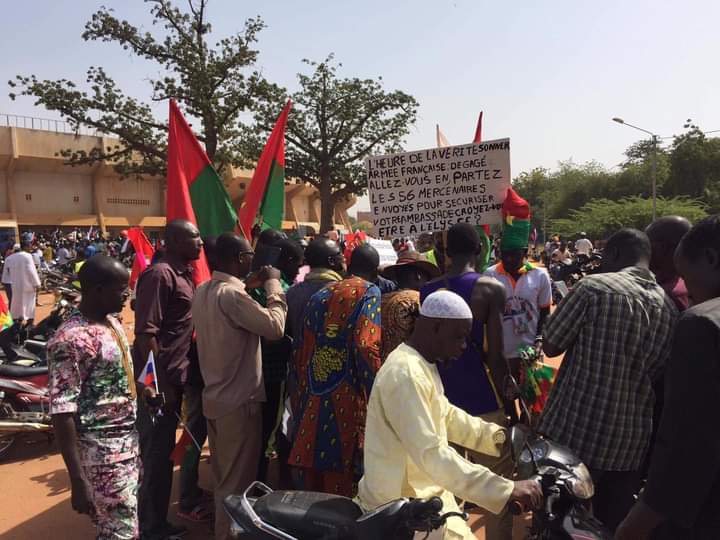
335 123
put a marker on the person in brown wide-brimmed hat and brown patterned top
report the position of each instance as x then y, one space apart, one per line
400 308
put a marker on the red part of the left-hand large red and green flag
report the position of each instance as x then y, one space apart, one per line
184 164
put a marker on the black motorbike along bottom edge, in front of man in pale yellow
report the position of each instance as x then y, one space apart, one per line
263 514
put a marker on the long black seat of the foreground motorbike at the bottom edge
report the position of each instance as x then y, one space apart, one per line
309 515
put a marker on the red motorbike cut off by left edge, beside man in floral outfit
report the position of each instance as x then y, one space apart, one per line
24 403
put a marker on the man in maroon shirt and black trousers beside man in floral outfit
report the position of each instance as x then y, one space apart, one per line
163 325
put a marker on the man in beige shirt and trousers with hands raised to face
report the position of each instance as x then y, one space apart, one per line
229 324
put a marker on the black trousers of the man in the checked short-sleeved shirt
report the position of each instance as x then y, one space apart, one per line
614 495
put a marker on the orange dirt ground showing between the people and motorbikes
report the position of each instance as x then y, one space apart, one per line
35 489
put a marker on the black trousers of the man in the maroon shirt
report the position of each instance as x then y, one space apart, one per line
157 441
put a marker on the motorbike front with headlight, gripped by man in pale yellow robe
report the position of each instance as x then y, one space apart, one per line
566 484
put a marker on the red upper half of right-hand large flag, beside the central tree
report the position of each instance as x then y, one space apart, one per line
272 154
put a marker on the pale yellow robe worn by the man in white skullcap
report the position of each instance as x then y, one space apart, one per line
409 424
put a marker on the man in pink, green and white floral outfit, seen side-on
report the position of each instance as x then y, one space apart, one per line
92 402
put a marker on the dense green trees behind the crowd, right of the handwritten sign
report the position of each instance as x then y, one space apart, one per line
585 196
